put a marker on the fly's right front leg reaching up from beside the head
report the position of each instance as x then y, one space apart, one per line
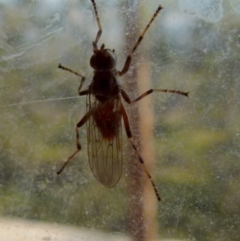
129 58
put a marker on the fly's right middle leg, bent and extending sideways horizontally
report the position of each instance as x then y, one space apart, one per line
127 98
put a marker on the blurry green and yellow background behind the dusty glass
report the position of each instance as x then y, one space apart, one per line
193 46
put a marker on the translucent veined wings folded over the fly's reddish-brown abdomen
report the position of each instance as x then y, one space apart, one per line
105 140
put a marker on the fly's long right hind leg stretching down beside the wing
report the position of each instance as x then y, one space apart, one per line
129 135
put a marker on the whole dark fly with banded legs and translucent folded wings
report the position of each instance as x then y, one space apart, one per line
105 111
